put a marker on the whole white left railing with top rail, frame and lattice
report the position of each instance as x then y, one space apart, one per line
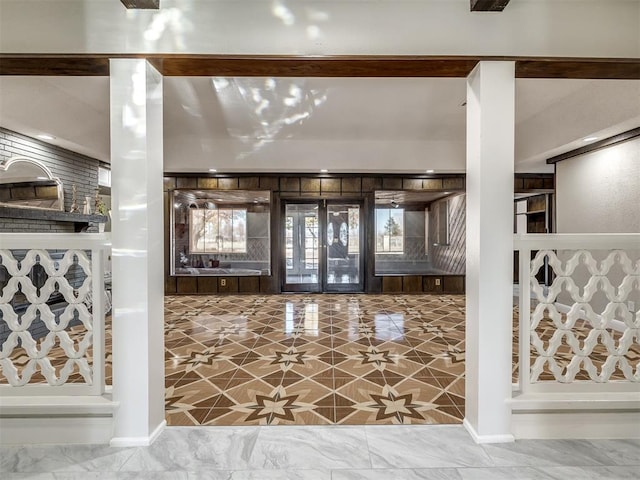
68 356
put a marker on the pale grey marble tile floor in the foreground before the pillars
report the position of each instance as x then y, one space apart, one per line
385 452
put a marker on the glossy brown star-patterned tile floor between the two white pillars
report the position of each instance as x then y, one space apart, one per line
314 359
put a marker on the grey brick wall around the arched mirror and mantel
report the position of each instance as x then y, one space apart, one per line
68 166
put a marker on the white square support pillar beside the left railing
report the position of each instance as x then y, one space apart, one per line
137 234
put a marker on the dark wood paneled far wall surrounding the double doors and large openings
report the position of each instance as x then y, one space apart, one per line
301 186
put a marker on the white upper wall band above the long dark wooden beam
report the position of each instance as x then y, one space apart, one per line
584 28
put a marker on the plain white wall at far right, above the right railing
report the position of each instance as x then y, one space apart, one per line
599 192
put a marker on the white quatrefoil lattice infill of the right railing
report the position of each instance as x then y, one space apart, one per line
582 336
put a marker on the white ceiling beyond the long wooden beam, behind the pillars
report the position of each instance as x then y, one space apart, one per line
388 125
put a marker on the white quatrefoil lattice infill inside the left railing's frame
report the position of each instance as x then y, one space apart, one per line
76 350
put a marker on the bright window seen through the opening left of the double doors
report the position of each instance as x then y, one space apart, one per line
221 230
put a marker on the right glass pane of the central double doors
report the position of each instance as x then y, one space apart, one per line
343 244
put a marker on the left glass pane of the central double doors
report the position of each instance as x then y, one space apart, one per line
302 243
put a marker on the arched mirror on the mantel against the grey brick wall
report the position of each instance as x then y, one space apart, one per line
28 183
